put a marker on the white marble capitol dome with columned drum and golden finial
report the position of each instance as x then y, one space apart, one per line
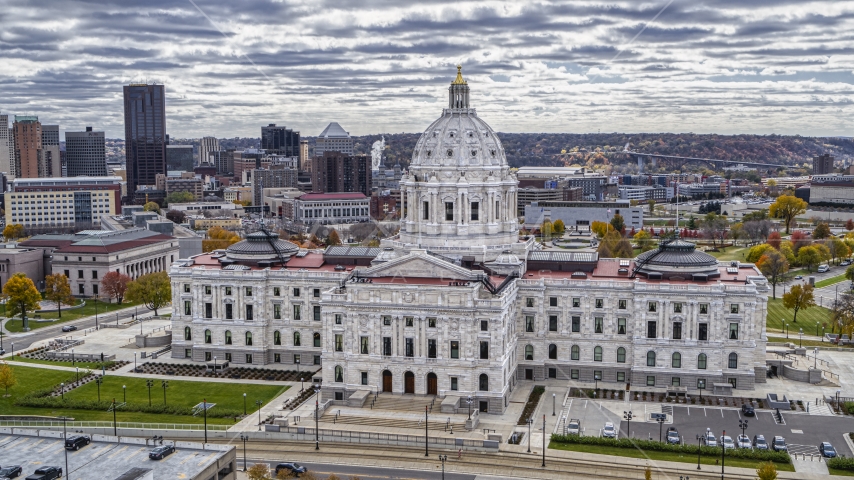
459 191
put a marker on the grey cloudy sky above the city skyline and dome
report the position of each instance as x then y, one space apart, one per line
230 66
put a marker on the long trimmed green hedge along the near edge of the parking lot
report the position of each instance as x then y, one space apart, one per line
745 453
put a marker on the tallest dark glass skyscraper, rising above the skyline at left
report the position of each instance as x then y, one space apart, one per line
145 134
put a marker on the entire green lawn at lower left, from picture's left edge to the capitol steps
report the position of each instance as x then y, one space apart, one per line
179 392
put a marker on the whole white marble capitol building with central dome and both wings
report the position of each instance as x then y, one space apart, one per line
458 304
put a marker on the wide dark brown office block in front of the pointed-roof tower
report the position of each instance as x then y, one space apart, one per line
339 172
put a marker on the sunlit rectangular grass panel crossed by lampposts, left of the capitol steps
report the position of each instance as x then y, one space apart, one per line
186 393
